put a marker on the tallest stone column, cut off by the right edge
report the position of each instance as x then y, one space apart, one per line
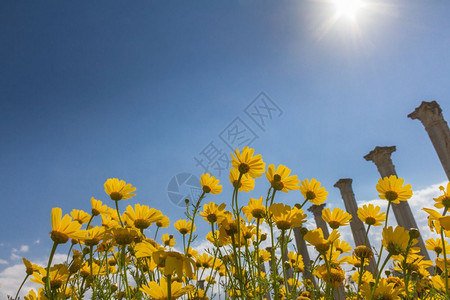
430 114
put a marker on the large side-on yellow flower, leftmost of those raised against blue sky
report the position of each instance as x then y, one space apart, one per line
64 228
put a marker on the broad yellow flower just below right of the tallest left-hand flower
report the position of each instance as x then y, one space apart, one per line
142 216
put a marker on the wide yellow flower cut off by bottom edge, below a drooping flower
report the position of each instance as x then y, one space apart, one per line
159 291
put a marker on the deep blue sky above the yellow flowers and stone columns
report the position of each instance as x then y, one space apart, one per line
102 89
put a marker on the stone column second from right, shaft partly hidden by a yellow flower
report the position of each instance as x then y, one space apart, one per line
381 157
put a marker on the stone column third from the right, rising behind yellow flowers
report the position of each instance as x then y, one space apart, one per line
357 226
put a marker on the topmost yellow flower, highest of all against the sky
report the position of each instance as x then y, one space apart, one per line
246 163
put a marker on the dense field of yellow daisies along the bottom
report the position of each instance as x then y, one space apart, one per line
129 256
